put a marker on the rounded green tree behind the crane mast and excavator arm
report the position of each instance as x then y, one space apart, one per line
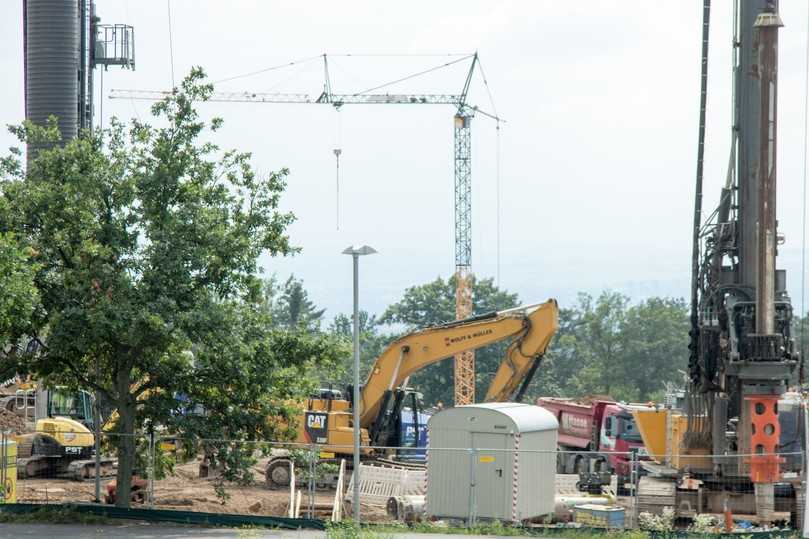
434 303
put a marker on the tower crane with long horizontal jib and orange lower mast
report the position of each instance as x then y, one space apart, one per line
464 367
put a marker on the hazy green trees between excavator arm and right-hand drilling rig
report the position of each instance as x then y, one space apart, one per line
606 346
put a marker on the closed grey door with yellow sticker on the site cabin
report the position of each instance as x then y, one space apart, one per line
492 475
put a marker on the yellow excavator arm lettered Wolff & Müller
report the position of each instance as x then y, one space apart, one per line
531 328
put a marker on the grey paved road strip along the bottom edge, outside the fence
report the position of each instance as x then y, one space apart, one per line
139 530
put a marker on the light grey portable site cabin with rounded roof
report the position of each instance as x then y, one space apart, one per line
491 461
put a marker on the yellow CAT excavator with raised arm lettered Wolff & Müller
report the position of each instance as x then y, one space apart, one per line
327 418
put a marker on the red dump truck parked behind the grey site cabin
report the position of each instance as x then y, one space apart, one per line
594 435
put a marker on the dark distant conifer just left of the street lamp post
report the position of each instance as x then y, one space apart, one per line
290 305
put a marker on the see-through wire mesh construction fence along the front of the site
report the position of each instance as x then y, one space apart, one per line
462 485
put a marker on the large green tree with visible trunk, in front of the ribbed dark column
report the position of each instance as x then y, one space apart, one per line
146 240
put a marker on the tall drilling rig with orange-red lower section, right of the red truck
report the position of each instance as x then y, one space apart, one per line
721 451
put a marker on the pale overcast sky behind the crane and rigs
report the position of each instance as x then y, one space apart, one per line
593 166
